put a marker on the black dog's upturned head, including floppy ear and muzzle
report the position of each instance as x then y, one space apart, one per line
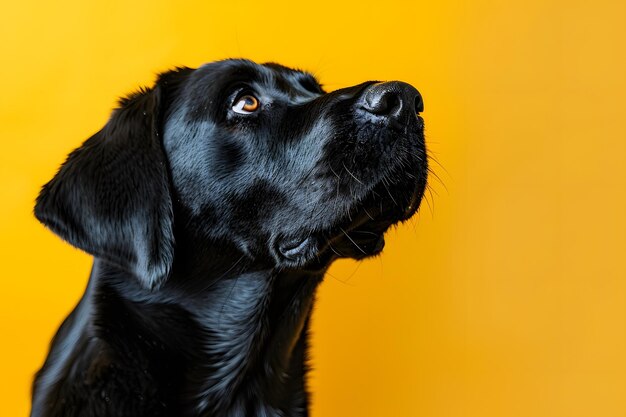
256 156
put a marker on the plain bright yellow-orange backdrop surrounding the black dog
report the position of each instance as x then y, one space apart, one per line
505 297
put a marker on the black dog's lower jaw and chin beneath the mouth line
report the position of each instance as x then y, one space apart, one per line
357 235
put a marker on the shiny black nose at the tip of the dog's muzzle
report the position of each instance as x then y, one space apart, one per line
393 99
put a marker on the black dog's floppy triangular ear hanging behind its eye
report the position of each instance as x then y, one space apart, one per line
111 197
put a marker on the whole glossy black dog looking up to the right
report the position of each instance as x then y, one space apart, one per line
213 203
